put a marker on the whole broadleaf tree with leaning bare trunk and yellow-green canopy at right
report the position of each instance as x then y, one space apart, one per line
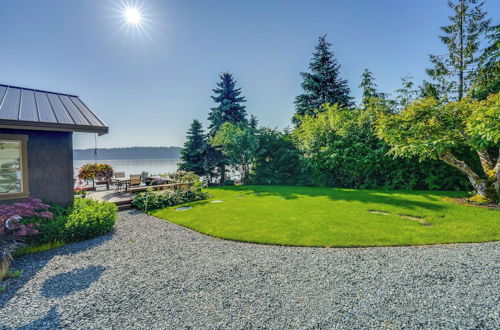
430 129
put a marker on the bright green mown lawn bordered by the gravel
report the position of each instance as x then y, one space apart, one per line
309 216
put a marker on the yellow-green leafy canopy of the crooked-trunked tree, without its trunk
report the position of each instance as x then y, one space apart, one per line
428 127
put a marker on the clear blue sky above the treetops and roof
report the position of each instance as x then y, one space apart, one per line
149 85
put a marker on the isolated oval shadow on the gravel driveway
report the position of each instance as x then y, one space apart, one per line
67 283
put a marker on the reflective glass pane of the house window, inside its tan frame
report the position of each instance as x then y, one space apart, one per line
10 167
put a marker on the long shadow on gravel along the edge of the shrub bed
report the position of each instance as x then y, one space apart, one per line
31 264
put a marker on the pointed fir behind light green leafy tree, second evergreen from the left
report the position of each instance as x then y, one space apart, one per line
230 109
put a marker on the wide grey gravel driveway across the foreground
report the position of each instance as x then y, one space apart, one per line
153 274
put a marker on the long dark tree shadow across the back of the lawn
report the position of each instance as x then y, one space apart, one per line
387 197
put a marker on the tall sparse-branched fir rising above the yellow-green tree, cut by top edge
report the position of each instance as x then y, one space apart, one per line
455 71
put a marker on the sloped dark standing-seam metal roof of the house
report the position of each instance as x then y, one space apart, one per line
41 110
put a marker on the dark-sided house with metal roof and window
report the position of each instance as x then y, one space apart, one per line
36 143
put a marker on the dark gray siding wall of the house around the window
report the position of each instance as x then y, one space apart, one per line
50 165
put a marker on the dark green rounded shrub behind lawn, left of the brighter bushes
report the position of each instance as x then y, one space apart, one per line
278 160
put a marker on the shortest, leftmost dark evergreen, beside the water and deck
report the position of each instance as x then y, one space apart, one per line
193 152
